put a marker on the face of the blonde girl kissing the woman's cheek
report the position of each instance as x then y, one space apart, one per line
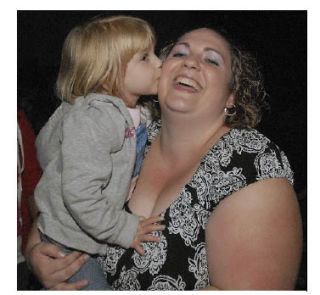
141 76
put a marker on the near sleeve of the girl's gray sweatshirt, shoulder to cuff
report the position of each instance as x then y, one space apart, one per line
87 145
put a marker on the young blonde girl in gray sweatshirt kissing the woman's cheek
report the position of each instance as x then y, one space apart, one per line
88 148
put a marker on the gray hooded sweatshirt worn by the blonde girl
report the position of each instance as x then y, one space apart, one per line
87 152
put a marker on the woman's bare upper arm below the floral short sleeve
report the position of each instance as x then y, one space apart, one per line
254 238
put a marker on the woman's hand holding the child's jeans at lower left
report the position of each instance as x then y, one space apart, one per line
52 267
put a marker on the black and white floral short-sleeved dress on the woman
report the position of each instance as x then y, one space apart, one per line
179 261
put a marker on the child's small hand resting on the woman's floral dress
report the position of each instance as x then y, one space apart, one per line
145 227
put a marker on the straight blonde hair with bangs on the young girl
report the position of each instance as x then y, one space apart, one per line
95 55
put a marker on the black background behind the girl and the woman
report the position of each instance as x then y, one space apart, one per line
277 38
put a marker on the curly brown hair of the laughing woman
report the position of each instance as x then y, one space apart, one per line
246 85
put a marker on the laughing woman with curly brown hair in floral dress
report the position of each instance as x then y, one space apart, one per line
235 223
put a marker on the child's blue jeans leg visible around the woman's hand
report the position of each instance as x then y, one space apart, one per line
90 271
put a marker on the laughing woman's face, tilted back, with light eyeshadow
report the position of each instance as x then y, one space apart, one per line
196 76
